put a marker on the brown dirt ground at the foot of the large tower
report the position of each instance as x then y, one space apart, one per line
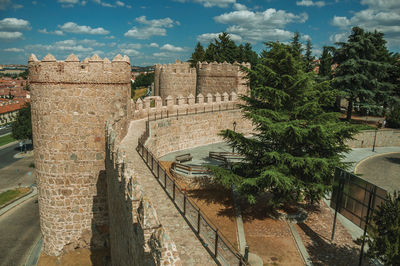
78 257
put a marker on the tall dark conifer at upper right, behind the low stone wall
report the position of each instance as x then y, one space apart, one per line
363 70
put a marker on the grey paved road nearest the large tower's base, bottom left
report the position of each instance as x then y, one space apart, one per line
19 231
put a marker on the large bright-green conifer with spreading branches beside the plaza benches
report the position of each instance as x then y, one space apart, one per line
298 144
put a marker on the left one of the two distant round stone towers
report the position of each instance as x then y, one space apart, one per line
176 79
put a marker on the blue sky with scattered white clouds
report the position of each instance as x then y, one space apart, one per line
161 31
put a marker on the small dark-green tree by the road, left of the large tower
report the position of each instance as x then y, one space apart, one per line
22 127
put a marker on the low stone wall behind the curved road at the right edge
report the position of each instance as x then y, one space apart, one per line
384 138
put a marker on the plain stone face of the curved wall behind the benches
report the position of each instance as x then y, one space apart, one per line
177 133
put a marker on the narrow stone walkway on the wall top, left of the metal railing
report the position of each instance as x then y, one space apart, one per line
190 249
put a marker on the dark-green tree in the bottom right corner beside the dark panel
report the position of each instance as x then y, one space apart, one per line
384 232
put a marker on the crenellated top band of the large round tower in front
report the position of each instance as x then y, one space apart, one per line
92 70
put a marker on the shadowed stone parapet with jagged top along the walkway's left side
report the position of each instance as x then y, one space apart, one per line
136 234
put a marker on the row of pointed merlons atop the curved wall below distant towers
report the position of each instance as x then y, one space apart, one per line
171 106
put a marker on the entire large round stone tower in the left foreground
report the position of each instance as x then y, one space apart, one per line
71 100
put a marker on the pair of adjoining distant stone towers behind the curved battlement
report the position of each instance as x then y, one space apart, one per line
180 79
